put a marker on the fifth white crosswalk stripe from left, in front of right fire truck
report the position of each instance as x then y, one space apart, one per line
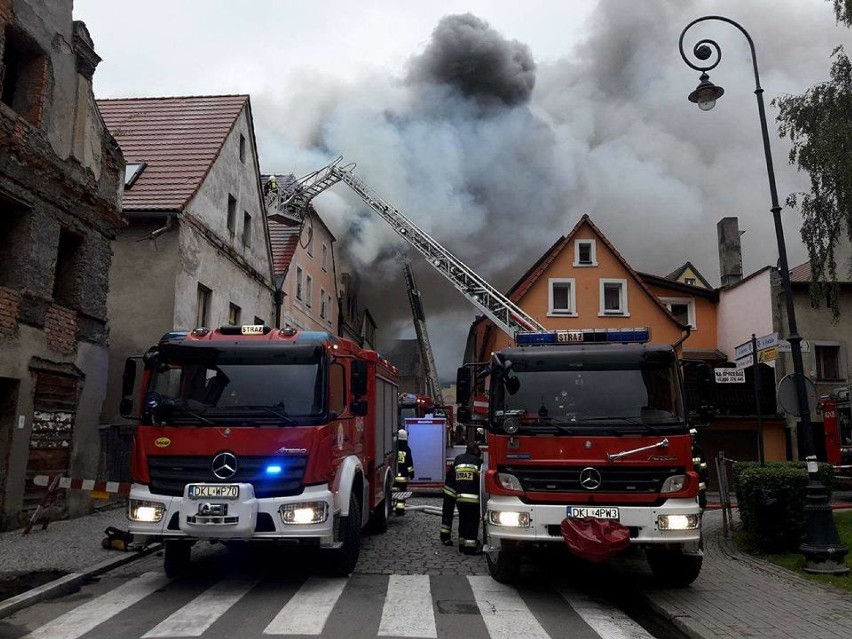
505 614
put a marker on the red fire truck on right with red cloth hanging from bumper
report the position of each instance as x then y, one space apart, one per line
589 444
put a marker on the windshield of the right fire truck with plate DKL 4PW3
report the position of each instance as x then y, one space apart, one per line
598 395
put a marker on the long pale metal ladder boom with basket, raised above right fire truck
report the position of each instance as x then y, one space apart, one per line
292 200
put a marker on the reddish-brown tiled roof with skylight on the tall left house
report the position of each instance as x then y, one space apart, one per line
178 139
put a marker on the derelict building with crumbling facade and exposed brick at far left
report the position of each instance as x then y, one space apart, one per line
60 203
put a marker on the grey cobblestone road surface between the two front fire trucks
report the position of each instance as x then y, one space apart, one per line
411 547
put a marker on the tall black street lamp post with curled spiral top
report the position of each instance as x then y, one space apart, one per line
822 548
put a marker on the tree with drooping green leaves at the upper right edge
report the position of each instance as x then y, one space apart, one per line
819 125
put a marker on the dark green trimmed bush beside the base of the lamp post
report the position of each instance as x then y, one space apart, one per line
771 500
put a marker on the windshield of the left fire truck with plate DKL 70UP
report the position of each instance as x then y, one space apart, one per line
214 385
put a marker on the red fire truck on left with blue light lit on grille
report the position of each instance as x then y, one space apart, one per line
251 433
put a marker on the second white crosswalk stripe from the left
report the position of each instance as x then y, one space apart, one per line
199 614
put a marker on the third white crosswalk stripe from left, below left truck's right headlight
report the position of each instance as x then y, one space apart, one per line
308 610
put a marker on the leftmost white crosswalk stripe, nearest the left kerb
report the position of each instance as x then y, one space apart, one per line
82 619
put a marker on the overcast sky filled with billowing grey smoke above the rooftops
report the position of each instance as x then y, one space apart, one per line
494 125
